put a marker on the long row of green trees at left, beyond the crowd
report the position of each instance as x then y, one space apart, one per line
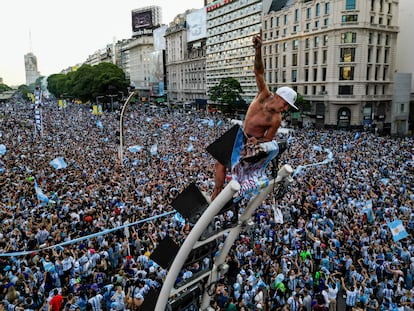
88 82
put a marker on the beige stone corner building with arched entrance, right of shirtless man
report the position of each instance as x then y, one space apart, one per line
340 55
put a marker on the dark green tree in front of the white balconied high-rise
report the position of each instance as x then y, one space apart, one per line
228 92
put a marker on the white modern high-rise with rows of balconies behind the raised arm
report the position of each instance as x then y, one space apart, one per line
231 26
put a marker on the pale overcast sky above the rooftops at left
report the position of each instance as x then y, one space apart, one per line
65 33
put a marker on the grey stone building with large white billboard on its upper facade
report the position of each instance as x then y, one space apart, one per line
186 58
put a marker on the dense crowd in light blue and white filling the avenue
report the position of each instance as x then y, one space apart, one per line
333 238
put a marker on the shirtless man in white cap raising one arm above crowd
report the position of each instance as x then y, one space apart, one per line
264 116
